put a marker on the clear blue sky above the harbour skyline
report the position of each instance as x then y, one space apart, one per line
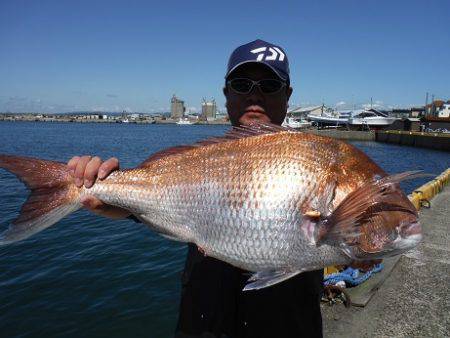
61 56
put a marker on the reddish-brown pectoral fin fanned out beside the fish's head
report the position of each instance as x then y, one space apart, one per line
343 226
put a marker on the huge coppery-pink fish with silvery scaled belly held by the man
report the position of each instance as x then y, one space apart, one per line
267 199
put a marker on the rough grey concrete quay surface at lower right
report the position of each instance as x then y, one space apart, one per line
414 301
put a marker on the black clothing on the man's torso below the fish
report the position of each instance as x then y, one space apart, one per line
214 305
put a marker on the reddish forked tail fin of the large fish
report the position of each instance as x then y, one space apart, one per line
53 195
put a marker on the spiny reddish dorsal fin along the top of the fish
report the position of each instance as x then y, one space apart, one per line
236 133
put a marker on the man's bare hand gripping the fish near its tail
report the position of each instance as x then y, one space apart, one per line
86 170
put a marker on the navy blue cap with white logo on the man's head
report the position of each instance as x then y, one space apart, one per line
263 52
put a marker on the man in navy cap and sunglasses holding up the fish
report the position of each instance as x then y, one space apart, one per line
257 87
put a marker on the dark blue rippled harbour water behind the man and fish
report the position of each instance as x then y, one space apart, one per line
89 276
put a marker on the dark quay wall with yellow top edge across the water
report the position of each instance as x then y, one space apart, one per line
438 141
